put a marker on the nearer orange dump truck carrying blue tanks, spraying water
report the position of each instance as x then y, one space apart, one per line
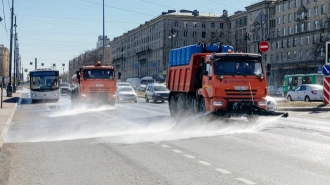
211 78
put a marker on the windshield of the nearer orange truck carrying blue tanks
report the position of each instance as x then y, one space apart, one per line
237 67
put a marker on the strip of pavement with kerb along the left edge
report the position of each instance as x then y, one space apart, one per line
7 112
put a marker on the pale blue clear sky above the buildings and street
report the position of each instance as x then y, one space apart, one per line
56 31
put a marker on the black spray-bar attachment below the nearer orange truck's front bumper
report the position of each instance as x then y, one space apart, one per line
245 108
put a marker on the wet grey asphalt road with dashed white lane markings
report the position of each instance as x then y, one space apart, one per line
55 143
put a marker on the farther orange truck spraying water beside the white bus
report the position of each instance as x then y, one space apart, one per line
97 85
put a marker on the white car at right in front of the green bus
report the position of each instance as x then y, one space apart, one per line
306 92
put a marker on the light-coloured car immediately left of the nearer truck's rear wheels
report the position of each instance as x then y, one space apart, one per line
156 92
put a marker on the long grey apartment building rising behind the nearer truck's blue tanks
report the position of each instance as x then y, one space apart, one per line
144 50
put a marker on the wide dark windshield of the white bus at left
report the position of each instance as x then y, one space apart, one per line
44 80
